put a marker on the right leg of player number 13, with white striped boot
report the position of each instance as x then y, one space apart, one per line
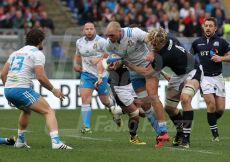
42 107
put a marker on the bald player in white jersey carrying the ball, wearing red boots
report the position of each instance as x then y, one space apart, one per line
130 44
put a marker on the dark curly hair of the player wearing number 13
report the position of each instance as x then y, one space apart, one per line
34 37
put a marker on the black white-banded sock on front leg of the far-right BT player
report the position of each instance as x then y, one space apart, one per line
212 121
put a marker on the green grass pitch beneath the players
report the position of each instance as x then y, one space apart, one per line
109 143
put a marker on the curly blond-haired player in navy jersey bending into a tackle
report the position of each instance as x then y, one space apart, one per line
182 86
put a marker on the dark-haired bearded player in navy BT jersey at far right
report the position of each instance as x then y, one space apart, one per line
212 50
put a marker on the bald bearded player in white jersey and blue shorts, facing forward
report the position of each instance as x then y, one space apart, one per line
89 51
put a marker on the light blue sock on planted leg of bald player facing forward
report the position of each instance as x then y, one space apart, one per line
86 113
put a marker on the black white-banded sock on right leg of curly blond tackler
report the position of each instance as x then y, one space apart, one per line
187 124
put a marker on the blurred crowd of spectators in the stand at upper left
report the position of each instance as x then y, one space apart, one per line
19 14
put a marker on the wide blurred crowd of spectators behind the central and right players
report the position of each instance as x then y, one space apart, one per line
176 16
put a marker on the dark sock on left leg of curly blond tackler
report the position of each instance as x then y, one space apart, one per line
178 122
